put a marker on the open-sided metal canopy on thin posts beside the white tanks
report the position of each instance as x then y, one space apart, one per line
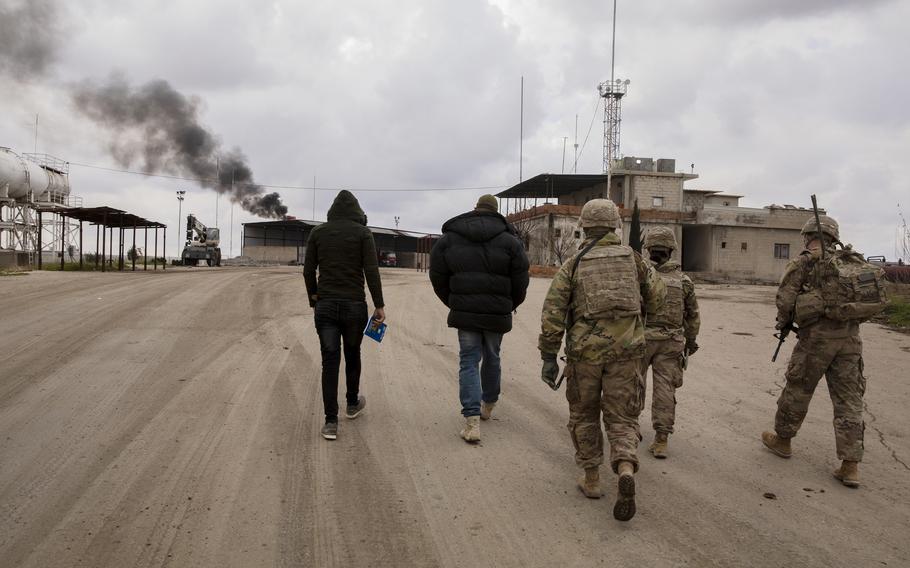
106 219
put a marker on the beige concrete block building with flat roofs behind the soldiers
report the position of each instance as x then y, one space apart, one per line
717 237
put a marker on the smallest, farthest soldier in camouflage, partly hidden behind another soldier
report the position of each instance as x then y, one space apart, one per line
670 335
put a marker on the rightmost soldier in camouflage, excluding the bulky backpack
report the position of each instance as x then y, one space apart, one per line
827 347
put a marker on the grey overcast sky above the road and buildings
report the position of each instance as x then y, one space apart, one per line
771 99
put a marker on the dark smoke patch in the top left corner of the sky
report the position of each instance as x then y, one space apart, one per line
28 37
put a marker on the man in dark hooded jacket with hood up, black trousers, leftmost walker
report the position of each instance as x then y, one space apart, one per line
344 252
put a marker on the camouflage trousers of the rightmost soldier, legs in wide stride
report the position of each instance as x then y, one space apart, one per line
840 360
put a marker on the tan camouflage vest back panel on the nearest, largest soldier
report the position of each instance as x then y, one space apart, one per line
607 284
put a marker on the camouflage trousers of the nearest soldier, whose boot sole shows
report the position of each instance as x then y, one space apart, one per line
616 389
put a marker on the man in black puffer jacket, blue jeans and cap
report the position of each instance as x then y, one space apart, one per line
479 270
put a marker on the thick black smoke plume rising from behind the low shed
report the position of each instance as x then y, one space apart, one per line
160 126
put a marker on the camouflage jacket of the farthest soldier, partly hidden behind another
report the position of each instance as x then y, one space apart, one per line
658 325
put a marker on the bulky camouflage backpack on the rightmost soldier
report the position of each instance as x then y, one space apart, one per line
843 287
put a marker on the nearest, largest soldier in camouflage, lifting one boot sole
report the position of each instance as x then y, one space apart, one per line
597 300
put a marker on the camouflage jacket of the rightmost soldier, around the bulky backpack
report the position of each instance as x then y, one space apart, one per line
799 278
